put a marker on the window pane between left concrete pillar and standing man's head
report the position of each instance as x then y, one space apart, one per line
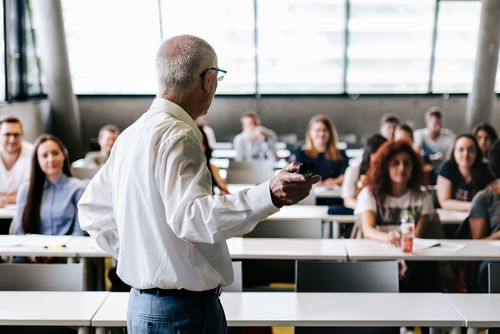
112 45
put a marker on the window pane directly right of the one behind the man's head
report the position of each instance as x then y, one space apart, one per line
301 46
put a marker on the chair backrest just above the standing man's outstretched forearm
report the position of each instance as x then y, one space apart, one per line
250 172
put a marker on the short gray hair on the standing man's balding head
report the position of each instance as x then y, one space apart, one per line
180 60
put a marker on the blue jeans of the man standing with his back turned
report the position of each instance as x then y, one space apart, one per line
149 313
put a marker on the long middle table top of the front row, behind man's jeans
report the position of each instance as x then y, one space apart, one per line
314 309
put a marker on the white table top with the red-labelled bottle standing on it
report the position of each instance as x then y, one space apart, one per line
458 250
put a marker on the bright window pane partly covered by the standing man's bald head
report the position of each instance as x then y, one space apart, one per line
228 26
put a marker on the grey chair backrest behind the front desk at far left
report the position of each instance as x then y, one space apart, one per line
41 277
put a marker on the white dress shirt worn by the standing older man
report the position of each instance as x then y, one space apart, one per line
151 206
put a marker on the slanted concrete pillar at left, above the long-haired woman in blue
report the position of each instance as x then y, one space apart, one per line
64 118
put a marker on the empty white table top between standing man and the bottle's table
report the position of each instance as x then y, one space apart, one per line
287 249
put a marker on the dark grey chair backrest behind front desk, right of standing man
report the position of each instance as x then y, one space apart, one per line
326 276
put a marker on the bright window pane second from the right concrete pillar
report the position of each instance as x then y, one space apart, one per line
390 44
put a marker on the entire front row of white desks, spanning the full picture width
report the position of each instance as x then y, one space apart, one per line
104 309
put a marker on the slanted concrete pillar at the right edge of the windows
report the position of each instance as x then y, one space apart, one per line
482 98
